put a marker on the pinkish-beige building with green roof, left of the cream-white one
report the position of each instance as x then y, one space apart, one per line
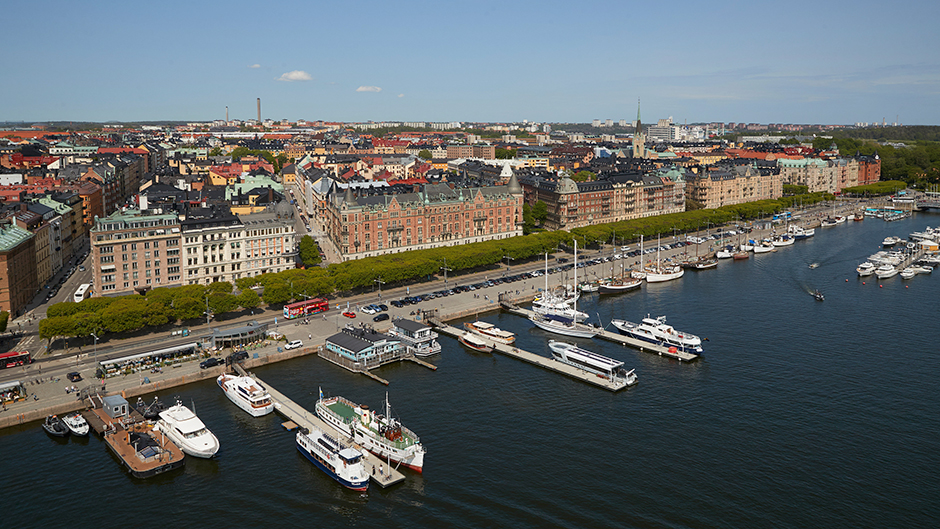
134 251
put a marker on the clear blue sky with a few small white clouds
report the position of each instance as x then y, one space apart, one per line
805 62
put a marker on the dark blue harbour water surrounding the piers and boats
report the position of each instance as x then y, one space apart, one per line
801 414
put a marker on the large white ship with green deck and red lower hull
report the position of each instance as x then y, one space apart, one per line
381 434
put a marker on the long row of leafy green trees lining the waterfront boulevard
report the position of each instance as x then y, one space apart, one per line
168 305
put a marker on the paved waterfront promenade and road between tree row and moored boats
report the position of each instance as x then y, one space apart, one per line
52 397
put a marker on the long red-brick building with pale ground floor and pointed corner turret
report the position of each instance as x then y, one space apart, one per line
429 216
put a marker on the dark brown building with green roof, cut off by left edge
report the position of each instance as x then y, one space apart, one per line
18 282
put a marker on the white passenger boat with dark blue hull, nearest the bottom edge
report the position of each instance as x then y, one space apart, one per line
340 462
